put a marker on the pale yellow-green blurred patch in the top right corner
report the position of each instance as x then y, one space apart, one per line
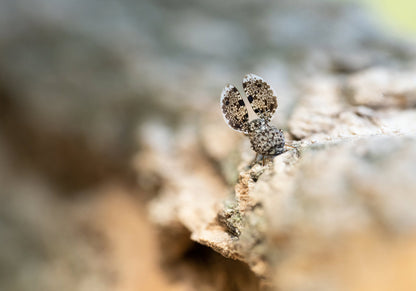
400 15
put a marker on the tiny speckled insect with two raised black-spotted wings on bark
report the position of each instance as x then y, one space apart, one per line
266 140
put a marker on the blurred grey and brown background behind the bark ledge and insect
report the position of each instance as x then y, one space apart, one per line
87 86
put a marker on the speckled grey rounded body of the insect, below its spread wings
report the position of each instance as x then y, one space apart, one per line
265 139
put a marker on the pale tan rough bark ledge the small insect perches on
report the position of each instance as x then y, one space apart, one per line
335 213
